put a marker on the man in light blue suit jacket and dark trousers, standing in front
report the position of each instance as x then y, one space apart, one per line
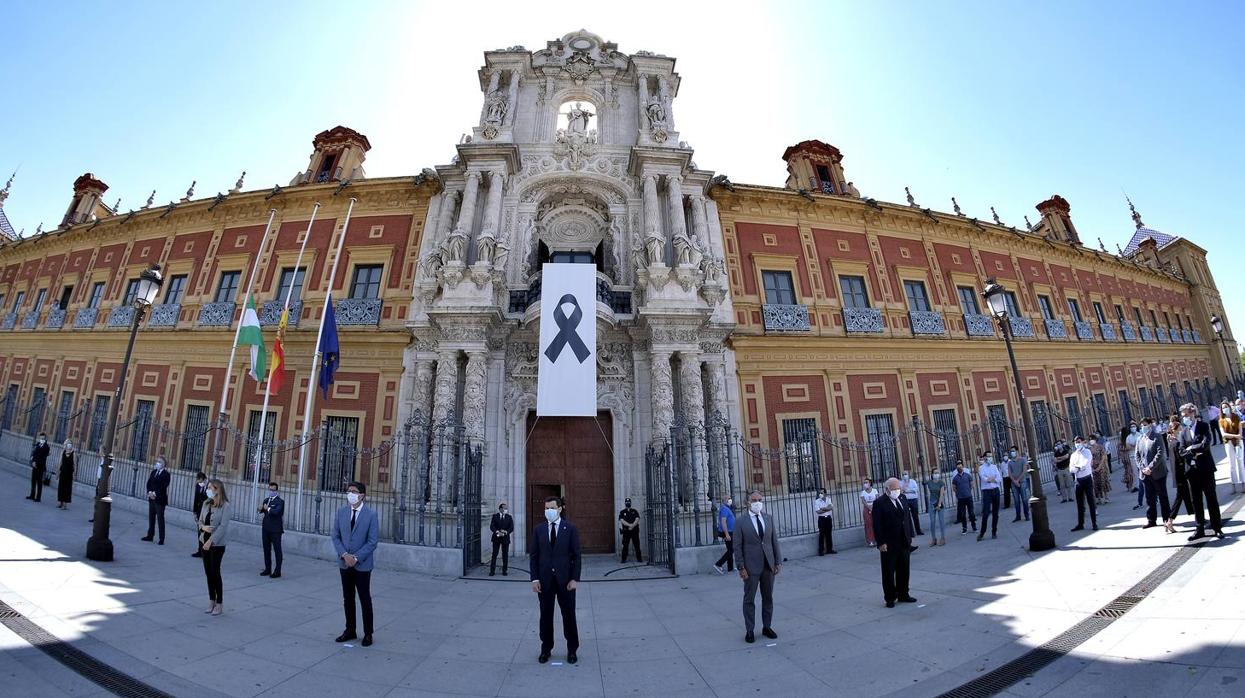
355 532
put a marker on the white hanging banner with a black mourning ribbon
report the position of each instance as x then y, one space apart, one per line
567 380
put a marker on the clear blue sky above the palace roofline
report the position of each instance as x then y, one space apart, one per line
999 104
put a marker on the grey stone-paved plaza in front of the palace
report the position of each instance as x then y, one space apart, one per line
980 607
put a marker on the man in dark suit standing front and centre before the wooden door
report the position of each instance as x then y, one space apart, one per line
555 563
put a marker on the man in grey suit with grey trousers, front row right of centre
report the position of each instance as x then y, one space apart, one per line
758 557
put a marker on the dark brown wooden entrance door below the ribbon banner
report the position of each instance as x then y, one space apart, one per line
572 457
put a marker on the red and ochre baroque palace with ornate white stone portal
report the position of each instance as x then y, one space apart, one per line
773 310
